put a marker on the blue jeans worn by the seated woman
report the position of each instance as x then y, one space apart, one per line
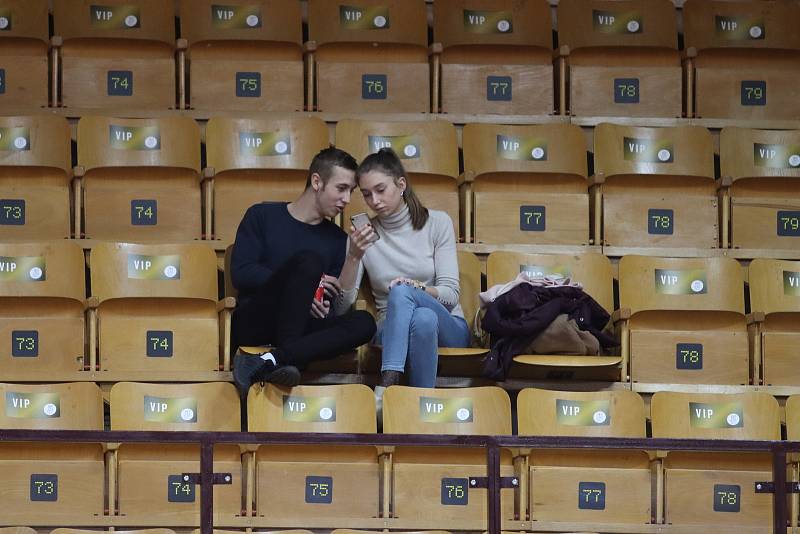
416 324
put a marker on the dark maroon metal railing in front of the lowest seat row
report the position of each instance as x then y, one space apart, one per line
493 445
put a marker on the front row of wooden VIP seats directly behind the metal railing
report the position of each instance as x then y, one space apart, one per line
315 486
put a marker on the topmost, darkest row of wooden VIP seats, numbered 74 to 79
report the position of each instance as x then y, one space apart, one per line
619 59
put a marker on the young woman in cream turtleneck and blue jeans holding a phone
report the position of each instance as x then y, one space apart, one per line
409 255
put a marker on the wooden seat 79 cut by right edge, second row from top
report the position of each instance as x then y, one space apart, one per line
761 205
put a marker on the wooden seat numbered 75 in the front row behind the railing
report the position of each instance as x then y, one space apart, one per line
310 485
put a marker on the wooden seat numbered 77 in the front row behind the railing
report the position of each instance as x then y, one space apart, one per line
612 486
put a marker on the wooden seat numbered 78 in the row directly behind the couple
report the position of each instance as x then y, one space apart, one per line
654 187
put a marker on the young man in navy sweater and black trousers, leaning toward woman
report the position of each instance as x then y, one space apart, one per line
282 254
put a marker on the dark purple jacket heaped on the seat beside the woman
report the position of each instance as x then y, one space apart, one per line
516 318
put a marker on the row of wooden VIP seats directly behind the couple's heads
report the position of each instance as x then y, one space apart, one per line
140 180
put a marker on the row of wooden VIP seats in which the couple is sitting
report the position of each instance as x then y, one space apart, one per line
153 314
